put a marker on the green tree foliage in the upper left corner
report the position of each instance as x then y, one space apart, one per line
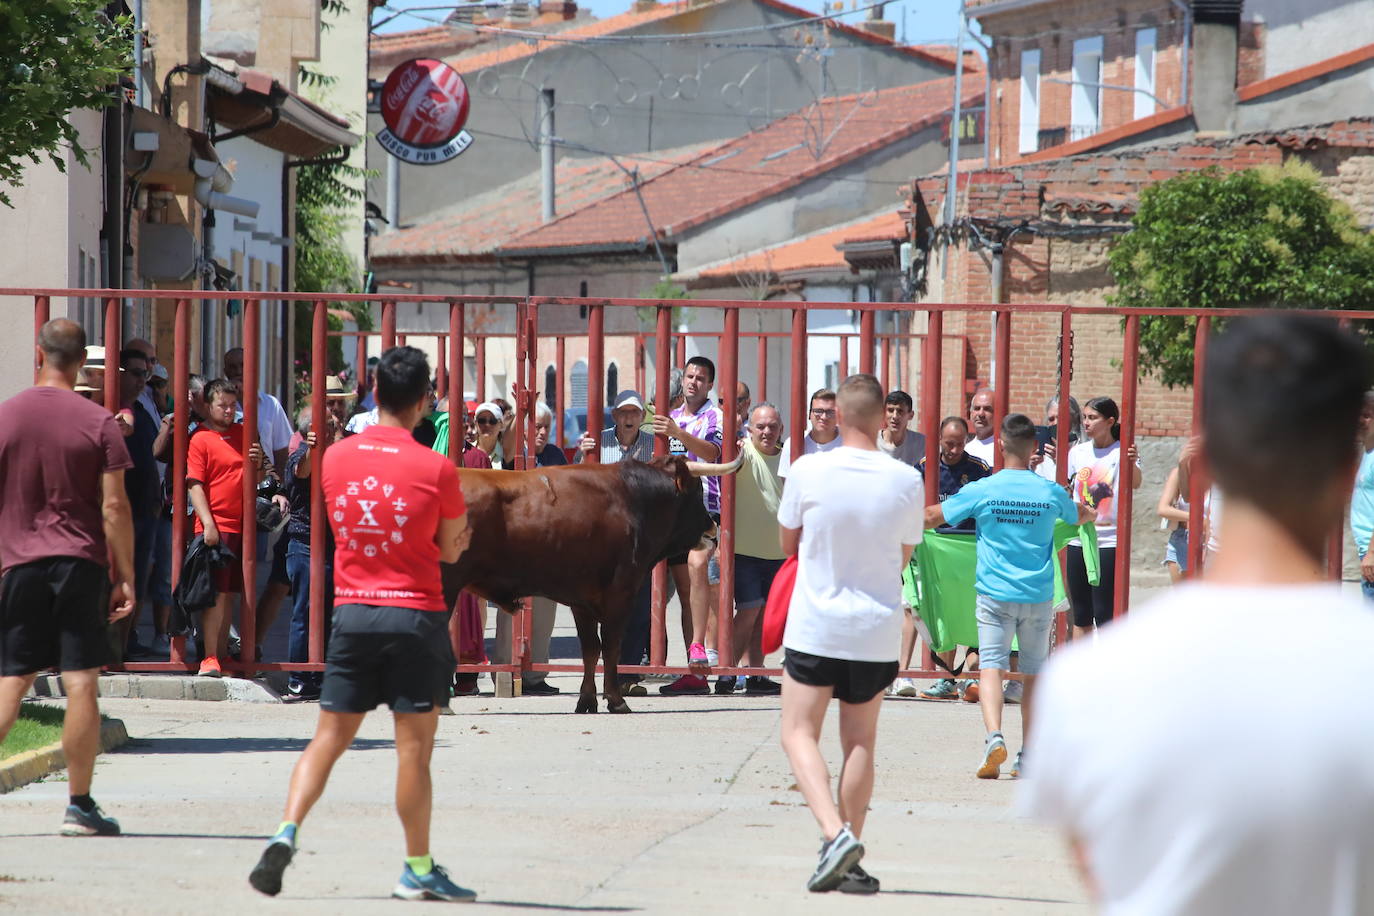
56 57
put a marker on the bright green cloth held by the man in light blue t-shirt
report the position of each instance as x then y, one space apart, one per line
939 583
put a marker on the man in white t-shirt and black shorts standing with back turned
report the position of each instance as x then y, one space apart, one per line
853 517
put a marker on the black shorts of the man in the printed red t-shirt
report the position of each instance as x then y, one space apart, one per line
394 656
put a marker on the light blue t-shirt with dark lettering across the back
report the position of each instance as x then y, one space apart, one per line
1016 512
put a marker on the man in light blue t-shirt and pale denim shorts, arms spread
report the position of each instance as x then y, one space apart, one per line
1016 512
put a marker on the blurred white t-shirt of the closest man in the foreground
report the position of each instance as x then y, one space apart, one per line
1224 801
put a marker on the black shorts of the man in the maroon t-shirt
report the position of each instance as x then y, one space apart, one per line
53 615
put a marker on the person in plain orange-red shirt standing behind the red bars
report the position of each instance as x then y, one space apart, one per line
215 477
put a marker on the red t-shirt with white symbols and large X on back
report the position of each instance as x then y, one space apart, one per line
385 495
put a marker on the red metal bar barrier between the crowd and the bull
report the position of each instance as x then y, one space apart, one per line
528 380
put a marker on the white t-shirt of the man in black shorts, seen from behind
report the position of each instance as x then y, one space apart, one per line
857 509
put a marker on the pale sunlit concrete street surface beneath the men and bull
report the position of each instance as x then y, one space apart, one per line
682 807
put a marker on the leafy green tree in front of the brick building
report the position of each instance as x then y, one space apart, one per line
1262 238
